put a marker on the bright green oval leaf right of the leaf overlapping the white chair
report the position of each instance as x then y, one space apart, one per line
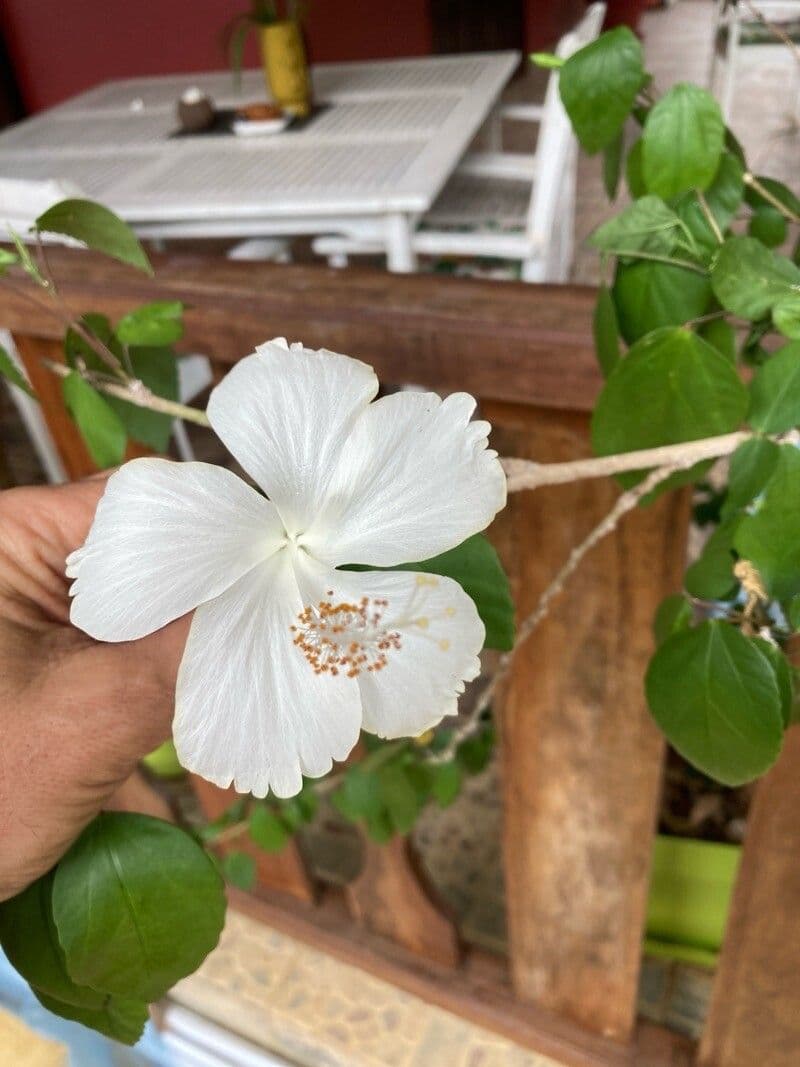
683 141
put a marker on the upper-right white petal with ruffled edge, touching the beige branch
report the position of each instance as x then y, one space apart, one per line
415 479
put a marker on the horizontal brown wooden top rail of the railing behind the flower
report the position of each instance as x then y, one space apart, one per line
513 342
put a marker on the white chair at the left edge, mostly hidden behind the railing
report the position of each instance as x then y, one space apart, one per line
22 202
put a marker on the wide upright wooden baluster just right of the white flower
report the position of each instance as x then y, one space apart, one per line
582 758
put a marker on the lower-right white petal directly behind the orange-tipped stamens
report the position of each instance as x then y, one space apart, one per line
441 636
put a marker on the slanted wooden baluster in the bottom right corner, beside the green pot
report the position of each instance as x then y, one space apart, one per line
755 1017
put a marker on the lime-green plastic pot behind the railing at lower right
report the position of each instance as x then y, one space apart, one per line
692 885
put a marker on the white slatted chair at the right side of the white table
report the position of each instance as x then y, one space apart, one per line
505 205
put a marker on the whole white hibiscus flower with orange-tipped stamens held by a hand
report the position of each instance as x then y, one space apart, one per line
290 658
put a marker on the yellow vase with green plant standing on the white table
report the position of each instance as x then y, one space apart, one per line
283 52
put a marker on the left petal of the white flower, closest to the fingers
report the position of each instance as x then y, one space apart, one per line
166 538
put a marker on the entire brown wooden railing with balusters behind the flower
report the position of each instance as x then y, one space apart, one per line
581 758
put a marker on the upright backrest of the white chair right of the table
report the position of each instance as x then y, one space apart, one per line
556 146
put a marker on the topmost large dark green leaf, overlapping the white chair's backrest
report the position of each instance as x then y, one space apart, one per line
599 85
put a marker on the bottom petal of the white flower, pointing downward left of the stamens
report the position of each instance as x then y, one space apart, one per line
249 708
